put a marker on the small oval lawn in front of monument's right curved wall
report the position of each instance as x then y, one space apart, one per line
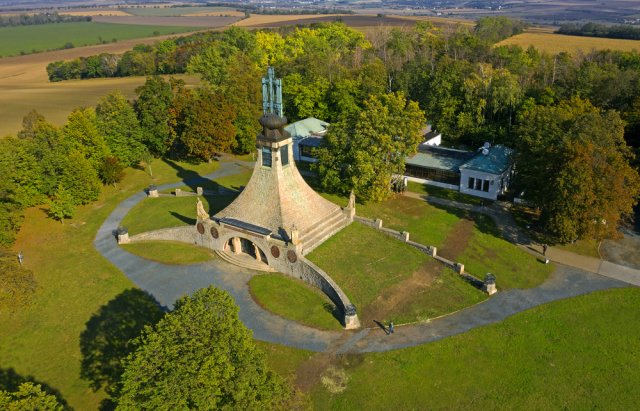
291 298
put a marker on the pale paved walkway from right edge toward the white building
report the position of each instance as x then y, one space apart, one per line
509 229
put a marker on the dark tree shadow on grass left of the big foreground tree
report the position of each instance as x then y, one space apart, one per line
108 336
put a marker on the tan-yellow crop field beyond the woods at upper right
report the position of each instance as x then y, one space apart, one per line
556 43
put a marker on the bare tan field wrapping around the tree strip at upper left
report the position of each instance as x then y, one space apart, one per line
24 85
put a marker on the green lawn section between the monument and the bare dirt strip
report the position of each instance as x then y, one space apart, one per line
364 261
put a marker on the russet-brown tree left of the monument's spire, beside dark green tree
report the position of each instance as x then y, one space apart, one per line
208 125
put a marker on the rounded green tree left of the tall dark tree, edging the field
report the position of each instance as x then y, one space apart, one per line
118 123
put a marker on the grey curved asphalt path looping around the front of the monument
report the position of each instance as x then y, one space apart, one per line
167 283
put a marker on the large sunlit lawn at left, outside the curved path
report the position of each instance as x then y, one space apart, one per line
74 281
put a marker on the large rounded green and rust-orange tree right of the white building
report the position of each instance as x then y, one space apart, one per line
573 164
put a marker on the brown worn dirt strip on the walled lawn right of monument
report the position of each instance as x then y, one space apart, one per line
393 299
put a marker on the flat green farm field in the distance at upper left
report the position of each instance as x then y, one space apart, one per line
42 37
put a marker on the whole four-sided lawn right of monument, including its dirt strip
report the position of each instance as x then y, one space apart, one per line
389 280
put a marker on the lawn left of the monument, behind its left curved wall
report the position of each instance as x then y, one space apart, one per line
165 212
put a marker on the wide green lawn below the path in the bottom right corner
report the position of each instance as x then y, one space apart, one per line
578 353
